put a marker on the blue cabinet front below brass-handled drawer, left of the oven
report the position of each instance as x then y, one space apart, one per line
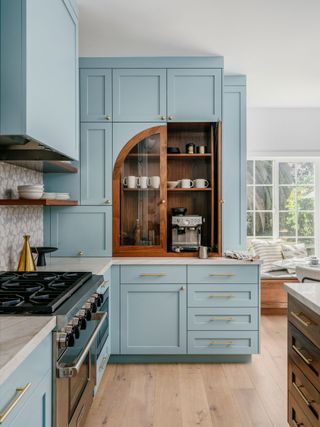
38 409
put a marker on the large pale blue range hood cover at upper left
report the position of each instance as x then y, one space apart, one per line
39 72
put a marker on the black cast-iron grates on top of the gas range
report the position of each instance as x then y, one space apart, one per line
38 292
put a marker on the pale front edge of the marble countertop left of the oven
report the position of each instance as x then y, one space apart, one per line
13 364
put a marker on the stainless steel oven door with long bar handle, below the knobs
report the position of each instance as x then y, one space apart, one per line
76 376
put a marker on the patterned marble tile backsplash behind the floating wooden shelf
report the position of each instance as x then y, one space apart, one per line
19 220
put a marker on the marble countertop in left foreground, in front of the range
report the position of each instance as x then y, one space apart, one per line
19 336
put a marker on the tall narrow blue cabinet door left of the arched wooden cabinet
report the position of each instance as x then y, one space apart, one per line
96 163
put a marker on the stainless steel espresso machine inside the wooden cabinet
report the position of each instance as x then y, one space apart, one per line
185 231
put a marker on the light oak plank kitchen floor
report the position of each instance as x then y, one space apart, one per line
179 395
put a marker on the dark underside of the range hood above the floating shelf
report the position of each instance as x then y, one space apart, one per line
21 147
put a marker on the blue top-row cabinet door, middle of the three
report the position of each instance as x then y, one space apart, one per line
139 95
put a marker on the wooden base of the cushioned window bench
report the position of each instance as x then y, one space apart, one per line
274 298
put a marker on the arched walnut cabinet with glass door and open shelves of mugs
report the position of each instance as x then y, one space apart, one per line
142 203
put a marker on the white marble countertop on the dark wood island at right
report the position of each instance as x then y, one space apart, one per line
307 293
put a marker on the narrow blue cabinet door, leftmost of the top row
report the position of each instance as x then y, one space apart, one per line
96 95
